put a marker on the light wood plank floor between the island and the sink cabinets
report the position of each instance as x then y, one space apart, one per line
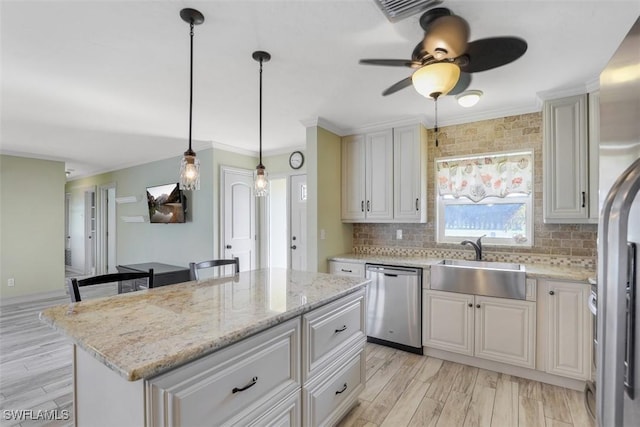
405 389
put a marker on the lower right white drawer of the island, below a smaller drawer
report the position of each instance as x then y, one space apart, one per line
327 402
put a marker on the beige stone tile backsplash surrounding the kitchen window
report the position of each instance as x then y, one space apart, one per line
559 244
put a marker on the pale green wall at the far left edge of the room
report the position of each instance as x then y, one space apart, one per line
31 225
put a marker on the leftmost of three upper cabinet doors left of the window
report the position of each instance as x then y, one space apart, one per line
353 178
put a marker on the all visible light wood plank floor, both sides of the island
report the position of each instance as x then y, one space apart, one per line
402 389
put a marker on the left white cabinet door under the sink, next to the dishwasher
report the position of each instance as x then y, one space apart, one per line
448 321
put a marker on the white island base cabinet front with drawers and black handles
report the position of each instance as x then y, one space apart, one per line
308 370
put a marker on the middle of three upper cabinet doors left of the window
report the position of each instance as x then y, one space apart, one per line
379 176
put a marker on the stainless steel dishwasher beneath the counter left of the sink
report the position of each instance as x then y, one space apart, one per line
394 307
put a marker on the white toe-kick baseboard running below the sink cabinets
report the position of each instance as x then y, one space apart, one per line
517 371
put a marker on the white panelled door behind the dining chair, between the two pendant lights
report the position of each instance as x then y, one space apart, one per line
238 237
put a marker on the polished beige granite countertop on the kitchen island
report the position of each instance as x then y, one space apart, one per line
142 334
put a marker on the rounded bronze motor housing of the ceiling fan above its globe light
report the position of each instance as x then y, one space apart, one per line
446 37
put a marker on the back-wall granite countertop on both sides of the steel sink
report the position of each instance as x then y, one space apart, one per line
534 271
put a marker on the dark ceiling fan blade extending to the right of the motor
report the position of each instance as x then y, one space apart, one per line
493 52
